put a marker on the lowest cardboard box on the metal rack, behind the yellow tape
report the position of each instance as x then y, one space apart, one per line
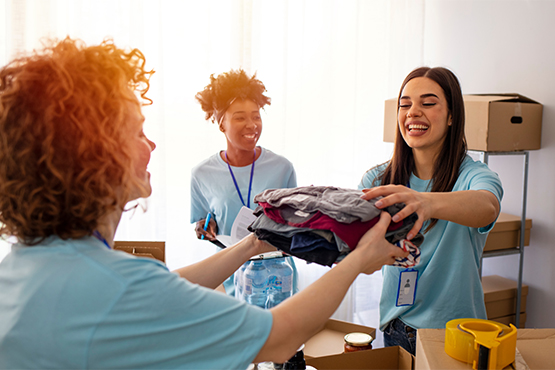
500 296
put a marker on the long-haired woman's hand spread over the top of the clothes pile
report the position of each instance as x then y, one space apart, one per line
413 200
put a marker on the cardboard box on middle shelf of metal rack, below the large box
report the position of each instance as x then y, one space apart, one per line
506 233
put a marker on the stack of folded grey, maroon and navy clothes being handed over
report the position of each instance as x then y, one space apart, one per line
322 224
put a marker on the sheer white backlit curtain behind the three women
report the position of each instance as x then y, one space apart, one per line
328 66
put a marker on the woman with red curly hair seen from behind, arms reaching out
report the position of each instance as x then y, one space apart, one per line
72 154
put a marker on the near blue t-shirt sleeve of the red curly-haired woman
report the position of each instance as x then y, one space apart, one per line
164 321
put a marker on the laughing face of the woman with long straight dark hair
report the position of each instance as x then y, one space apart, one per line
423 115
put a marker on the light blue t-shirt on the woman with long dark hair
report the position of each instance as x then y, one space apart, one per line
448 285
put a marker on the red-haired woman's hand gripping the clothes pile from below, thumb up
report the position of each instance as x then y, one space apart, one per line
374 250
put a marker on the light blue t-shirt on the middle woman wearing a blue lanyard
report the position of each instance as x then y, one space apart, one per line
213 190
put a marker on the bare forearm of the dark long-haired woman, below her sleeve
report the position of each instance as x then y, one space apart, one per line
472 208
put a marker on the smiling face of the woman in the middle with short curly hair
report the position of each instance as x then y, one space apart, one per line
242 125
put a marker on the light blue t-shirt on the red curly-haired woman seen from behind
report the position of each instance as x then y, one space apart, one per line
76 304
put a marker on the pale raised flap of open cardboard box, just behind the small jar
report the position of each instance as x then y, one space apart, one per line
329 341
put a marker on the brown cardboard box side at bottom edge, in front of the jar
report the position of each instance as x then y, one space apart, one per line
381 358
